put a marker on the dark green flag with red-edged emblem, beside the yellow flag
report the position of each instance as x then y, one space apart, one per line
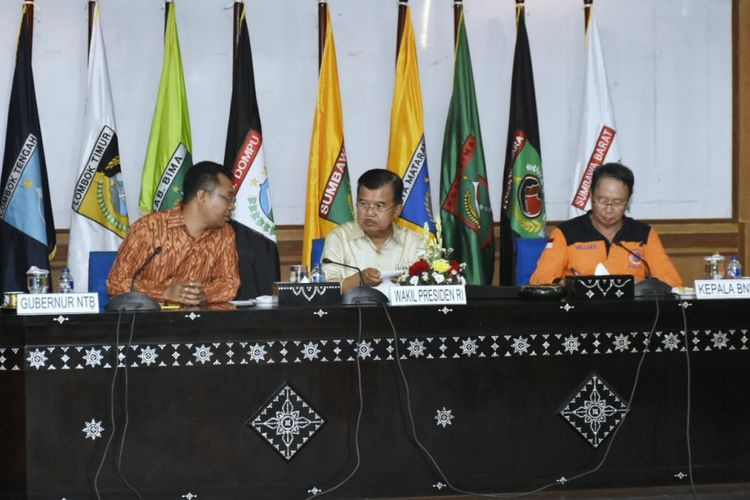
466 213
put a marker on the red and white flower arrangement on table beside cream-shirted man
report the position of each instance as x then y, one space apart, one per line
435 267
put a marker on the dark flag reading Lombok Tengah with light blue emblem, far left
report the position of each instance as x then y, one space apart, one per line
27 230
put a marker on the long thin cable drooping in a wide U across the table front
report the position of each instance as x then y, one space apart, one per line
562 480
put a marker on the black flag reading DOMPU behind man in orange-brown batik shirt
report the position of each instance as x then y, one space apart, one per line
244 159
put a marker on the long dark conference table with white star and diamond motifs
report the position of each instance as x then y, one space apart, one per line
503 395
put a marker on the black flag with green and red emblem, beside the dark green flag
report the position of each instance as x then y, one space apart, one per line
522 213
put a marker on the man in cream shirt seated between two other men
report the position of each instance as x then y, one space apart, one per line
372 242
